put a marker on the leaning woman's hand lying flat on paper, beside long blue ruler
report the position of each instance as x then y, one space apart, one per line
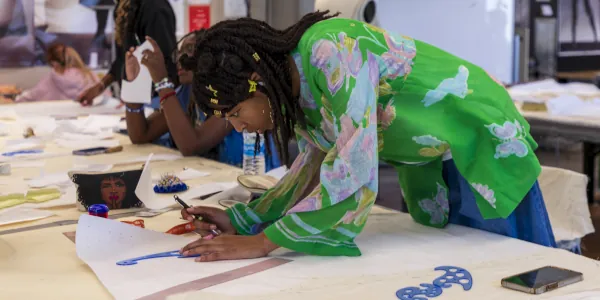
229 247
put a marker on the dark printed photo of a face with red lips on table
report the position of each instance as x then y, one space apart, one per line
115 190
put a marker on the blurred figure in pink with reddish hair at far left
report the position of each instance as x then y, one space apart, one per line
69 75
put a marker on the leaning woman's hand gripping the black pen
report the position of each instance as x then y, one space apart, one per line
212 218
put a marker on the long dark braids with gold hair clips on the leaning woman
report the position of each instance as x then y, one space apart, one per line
229 52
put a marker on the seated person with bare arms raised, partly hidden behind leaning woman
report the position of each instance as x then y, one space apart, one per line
189 129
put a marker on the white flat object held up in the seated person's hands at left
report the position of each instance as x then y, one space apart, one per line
138 90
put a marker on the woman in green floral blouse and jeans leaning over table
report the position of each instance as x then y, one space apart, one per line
354 94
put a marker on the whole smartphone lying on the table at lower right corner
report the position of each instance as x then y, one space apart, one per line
542 280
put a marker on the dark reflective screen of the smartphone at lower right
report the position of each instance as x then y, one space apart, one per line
541 277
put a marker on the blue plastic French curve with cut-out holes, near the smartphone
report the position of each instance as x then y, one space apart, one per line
452 275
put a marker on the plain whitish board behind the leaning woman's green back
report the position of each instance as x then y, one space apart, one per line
480 31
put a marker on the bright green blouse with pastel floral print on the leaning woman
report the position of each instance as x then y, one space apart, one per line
372 95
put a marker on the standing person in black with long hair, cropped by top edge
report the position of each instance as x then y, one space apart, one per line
134 20
